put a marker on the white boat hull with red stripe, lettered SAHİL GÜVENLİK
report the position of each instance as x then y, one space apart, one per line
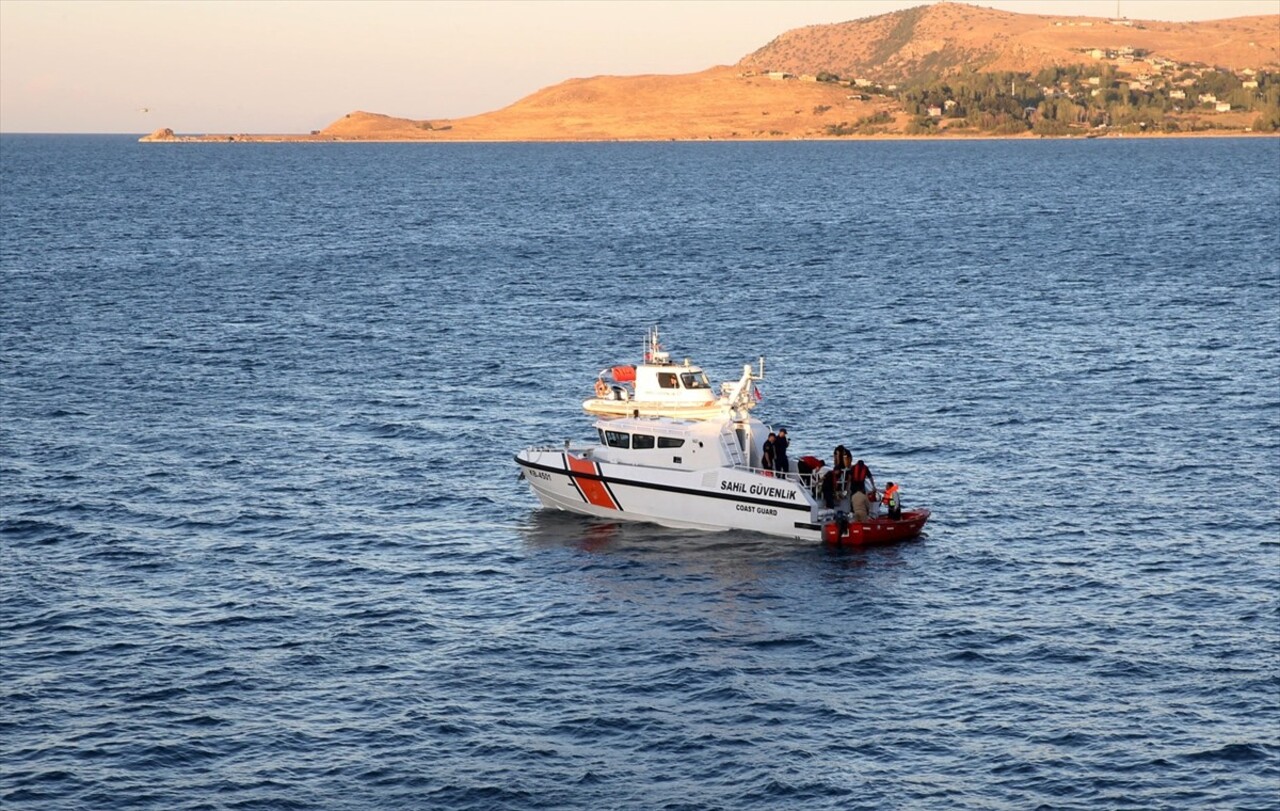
714 500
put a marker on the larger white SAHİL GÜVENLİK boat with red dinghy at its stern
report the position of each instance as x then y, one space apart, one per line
701 475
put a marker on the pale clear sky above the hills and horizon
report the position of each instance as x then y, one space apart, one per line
286 67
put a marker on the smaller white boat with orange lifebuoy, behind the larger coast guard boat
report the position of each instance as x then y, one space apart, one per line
660 387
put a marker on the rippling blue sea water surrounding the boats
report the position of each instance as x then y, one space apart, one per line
263 546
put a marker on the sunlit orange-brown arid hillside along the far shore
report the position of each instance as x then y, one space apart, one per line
767 94
